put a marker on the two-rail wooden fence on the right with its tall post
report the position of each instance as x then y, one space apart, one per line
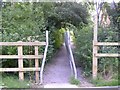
96 45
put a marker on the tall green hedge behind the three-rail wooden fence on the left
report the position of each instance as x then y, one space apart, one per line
25 22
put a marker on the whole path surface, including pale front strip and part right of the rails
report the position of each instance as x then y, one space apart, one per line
58 72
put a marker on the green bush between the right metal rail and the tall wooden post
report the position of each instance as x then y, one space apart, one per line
83 50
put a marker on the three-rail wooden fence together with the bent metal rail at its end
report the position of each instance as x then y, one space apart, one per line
20 58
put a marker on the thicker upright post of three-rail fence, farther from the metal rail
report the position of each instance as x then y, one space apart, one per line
20 62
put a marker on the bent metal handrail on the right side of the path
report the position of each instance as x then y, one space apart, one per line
69 49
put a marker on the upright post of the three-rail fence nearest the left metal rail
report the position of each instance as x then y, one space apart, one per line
36 64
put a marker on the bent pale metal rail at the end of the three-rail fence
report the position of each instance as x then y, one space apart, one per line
44 59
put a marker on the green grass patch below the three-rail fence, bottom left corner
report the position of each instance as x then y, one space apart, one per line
13 82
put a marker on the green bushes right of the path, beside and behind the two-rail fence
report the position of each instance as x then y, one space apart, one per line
83 52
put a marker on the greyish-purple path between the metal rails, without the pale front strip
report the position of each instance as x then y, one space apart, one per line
58 70
